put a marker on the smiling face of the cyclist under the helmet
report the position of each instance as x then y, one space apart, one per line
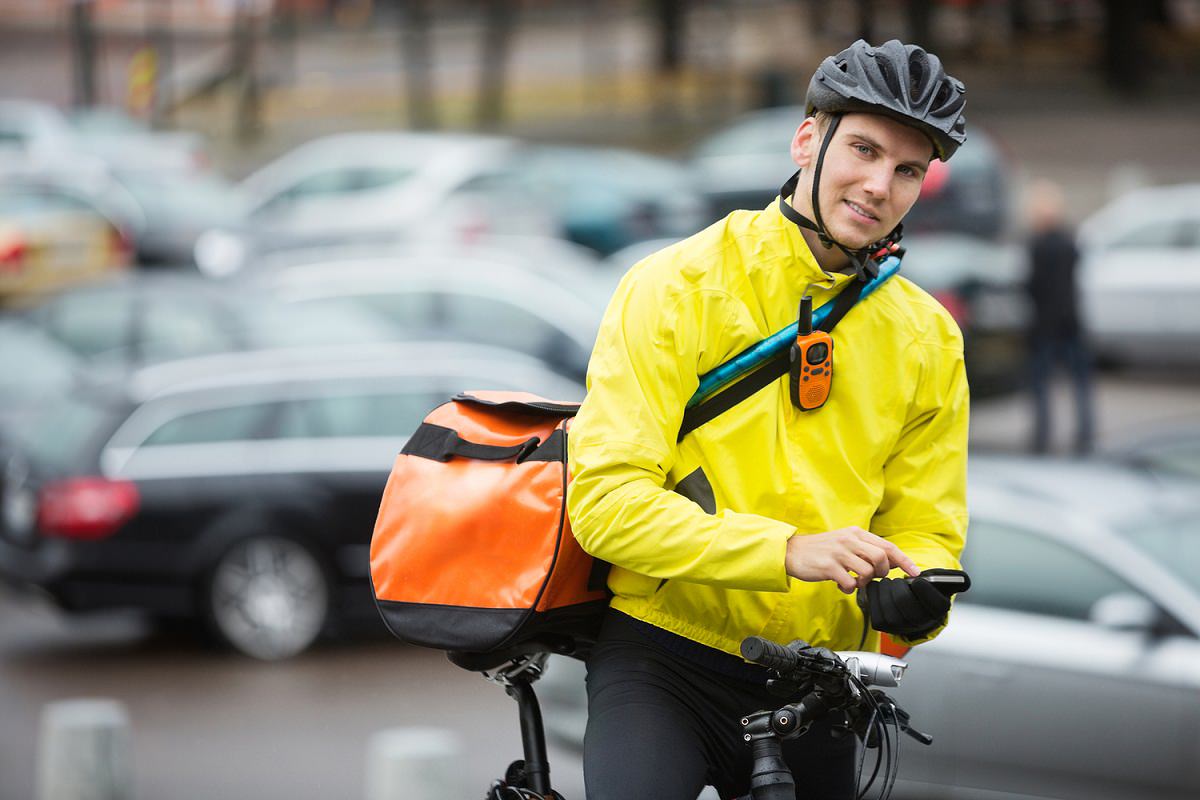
871 178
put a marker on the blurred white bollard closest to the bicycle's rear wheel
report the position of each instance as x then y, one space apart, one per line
416 765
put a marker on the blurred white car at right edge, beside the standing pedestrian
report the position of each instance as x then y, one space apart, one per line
1139 276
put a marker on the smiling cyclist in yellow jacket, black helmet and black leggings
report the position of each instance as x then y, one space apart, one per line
767 520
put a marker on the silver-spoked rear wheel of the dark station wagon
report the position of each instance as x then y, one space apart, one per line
268 598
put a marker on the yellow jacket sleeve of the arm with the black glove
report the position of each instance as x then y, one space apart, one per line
925 503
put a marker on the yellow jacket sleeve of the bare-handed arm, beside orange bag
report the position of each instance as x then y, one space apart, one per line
622 447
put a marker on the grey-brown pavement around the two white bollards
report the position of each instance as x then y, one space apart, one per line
214 725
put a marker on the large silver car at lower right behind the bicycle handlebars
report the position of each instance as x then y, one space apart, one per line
1072 667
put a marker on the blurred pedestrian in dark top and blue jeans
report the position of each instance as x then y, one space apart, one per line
1057 335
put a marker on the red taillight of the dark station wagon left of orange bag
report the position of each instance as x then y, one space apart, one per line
86 508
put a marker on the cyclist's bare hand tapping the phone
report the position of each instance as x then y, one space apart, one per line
836 555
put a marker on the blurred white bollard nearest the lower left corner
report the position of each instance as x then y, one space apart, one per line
86 751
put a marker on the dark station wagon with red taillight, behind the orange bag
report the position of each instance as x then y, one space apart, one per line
238 489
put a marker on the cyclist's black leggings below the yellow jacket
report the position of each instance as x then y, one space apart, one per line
663 727
